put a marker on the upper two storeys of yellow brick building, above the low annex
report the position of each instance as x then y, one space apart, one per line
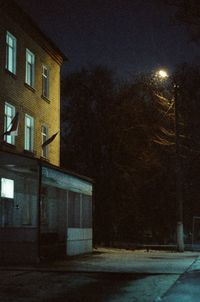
29 85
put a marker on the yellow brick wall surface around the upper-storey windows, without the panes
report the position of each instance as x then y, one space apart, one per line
14 91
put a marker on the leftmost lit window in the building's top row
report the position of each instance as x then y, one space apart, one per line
11 49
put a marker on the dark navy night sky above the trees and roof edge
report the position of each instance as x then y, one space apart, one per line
129 36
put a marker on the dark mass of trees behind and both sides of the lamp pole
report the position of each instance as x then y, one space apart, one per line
122 136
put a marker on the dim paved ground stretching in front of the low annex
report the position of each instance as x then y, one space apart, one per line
109 275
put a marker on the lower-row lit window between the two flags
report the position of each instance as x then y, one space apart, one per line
29 133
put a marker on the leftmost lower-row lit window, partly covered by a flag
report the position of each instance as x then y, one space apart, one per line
9 113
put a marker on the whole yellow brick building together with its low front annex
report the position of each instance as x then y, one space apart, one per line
44 211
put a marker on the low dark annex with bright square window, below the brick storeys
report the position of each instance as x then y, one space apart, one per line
44 210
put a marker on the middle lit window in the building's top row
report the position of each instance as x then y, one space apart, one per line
30 68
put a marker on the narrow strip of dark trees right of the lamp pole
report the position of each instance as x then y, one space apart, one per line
188 78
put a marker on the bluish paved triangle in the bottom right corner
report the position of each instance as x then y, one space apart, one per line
187 287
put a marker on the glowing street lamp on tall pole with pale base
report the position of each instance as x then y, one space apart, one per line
162 74
